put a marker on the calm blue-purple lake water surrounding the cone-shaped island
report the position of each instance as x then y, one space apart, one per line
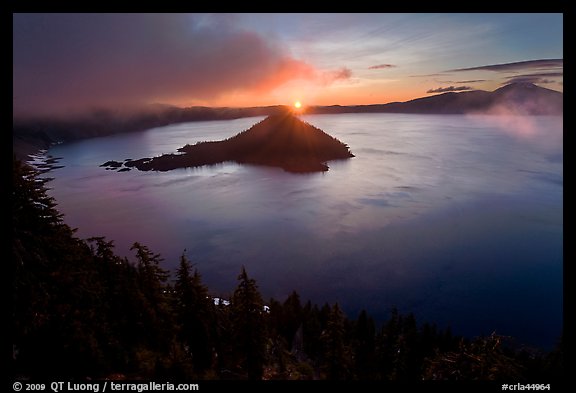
458 219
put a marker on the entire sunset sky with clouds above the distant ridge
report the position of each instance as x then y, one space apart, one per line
69 63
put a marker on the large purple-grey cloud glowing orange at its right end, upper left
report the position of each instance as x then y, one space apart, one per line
73 61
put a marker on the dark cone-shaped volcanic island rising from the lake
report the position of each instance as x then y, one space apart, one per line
280 140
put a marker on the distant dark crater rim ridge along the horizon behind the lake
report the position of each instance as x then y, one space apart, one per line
31 135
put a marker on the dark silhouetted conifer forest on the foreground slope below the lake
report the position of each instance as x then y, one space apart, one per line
79 310
